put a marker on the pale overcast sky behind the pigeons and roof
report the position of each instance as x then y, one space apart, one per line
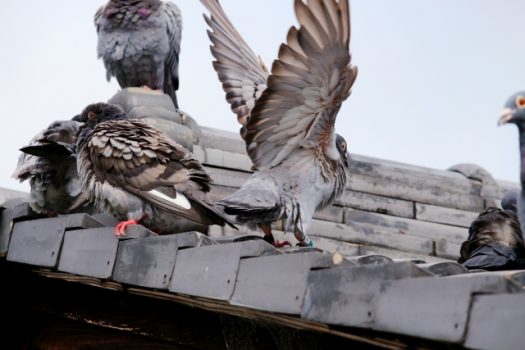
433 75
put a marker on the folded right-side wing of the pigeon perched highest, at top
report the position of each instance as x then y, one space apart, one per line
174 28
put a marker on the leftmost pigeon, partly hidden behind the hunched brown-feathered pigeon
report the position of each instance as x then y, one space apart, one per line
49 163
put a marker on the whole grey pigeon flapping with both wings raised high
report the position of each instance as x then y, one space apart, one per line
288 115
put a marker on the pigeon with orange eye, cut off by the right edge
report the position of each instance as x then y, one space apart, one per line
514 113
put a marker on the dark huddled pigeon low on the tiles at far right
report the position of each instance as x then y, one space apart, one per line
495 242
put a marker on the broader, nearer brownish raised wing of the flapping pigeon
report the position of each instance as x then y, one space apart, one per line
310 79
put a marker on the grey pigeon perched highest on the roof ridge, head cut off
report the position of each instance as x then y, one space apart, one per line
139 42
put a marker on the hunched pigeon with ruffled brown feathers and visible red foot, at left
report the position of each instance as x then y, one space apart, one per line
136 173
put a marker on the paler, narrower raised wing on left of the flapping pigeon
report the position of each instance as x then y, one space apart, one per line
240 70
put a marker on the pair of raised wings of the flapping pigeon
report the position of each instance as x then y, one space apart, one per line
310 79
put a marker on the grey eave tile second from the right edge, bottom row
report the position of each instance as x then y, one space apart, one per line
434 308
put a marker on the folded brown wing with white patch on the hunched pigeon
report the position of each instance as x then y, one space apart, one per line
133 156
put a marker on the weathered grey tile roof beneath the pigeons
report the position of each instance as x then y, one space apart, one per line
384 256
